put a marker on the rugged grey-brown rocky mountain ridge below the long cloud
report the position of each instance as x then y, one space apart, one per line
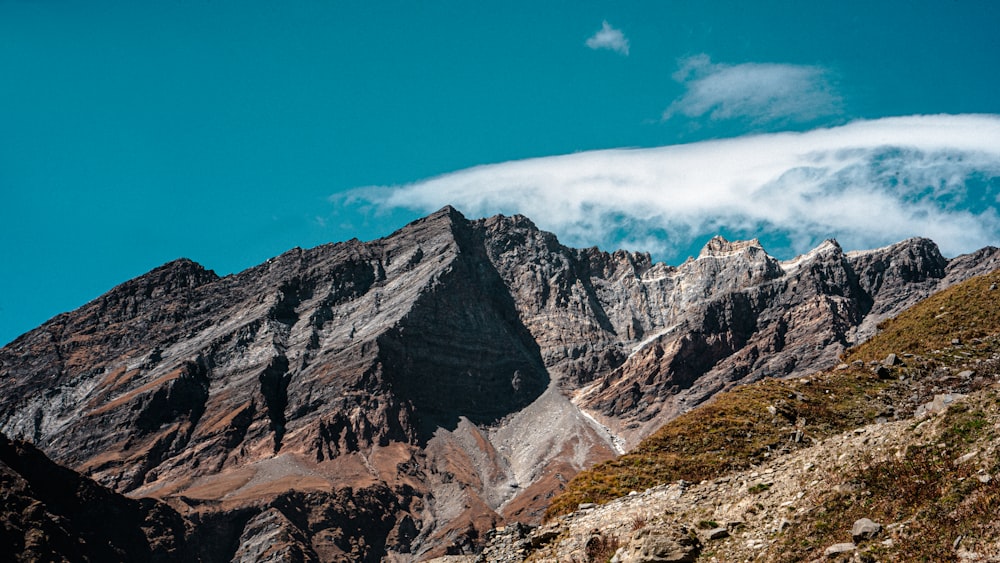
394 399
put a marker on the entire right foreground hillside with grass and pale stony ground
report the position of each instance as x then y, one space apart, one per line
891 456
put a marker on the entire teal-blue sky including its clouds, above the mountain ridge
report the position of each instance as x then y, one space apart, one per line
133 133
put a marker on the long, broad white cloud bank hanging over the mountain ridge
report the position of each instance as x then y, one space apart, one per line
867 184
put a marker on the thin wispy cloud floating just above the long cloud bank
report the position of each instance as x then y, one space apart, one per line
760 92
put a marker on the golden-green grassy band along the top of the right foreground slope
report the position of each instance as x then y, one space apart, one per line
950 331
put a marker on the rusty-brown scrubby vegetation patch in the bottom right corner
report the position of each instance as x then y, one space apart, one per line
935 503
